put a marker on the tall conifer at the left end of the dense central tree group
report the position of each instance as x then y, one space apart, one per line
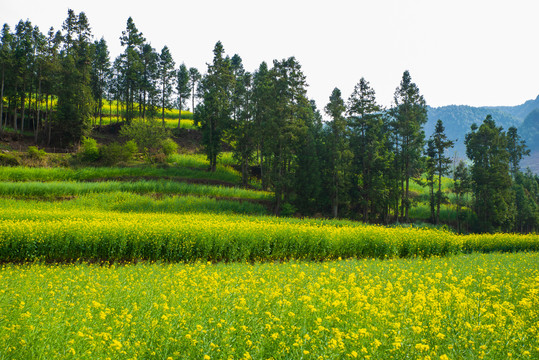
217 86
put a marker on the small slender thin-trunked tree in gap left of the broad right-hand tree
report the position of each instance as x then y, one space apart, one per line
442 162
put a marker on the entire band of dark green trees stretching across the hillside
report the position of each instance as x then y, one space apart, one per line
363 162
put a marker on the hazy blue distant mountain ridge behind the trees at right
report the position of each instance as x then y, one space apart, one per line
458 119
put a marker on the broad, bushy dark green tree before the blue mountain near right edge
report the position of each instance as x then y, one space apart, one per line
486 146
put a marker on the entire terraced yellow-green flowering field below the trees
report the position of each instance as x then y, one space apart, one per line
174 262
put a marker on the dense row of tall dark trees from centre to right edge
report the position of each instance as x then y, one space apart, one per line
362 161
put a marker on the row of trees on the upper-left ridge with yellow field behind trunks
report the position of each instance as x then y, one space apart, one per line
54 84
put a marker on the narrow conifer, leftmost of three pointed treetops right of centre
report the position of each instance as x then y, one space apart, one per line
340 154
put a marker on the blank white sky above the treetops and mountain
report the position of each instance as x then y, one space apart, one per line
461 52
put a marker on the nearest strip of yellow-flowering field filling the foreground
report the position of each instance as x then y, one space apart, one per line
468 307
